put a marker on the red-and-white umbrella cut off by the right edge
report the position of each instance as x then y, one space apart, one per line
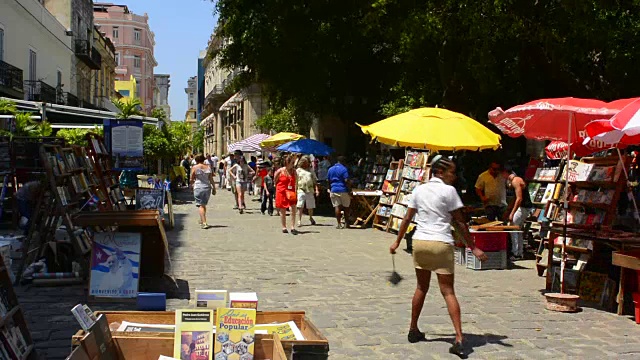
623 128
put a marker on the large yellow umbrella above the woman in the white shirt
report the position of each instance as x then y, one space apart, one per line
433 129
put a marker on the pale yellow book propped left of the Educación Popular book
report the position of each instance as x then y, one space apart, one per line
194 334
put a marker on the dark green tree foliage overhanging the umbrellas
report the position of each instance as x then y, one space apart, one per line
362 59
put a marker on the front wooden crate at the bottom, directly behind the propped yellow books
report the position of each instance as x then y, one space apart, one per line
148 346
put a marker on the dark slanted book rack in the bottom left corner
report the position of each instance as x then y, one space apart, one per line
15 338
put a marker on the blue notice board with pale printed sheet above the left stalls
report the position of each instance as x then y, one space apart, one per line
126 145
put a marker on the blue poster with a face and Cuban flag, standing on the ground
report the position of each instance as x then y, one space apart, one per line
115 265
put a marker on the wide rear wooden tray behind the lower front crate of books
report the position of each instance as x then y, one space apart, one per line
315 345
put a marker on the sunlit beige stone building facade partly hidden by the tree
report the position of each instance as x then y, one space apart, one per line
227 117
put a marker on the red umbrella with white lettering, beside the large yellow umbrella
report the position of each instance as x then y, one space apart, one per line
548 119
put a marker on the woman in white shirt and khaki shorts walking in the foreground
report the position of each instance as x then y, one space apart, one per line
435 204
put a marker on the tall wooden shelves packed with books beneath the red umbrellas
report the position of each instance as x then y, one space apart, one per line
595 186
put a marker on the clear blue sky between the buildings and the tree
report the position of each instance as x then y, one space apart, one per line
182 29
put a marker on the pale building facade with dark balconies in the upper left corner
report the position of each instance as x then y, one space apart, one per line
35 53
